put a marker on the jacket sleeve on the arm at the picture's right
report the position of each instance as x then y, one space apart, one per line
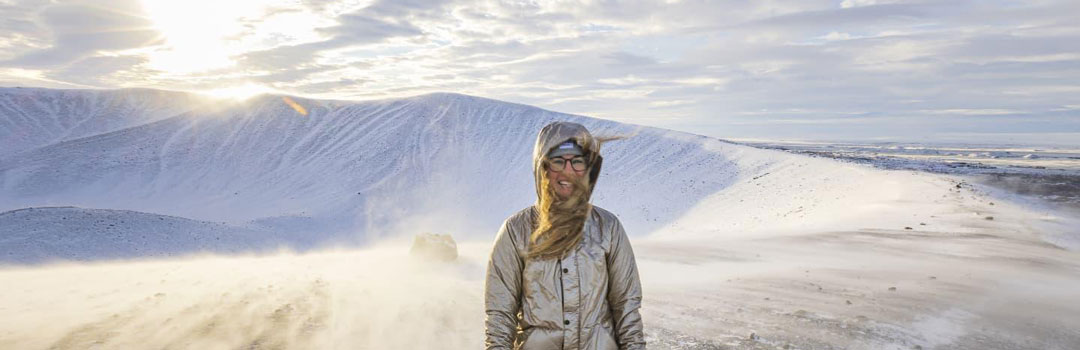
625 292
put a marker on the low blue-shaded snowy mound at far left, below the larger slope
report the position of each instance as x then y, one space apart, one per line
39 235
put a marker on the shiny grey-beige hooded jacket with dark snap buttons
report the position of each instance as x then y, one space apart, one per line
588 300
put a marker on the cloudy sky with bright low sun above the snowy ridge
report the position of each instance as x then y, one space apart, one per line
922 72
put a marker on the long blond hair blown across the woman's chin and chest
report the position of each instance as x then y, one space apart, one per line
561 224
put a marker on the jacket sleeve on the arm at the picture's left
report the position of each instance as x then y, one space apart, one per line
503 292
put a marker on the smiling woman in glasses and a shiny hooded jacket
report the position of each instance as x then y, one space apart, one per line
562 274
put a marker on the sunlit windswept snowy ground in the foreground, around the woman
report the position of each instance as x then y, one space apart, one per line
955 280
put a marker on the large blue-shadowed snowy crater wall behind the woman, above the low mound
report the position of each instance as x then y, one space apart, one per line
445 161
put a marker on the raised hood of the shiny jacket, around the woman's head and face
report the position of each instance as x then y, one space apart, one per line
558 133
